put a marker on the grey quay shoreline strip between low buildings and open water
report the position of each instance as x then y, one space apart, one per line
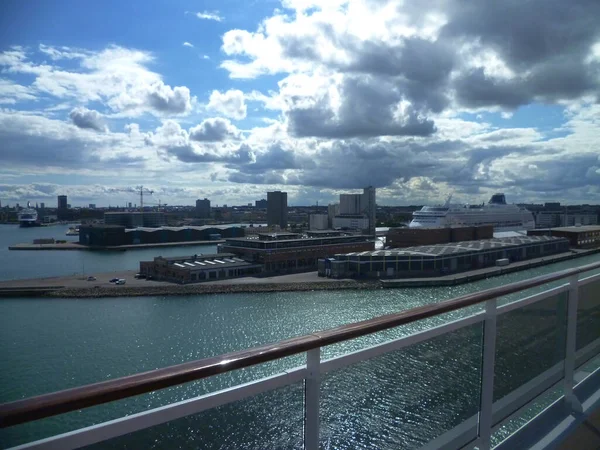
77 286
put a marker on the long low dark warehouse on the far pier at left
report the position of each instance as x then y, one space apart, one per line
113 235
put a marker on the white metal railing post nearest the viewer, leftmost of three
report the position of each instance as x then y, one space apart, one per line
311 399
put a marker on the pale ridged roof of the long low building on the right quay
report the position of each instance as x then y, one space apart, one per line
454 248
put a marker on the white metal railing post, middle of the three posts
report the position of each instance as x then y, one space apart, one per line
487 375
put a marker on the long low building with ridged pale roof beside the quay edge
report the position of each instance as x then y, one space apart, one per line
441 259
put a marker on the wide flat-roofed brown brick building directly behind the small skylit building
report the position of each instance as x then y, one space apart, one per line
291 252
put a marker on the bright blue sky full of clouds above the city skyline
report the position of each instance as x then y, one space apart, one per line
228 100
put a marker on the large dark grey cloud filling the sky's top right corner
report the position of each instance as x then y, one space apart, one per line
545 42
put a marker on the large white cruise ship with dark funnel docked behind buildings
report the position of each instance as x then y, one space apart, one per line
496 212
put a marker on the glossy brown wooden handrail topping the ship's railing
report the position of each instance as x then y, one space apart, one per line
60 402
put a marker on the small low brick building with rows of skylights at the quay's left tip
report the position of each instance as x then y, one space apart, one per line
197 268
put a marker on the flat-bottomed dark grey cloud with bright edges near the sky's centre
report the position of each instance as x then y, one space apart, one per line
368 109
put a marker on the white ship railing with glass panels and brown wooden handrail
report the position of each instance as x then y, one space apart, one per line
481 370
